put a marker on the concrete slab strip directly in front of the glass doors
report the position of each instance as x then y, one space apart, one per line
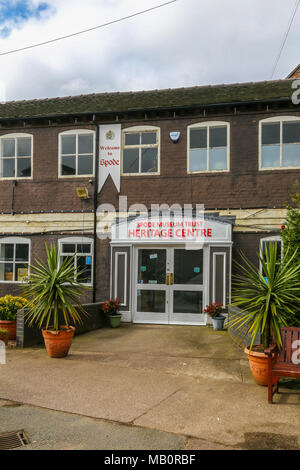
162 340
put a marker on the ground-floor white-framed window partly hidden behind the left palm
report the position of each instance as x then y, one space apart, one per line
82 250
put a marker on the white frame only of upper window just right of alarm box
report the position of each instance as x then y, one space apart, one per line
208 124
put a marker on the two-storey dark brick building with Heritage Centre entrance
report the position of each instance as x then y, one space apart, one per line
233 148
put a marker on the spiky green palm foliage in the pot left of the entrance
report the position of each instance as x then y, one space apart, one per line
53 290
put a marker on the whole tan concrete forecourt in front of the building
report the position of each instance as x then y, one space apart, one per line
202 389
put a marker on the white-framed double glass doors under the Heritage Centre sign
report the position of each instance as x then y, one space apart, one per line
170 286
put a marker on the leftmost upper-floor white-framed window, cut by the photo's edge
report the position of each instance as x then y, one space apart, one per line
16 156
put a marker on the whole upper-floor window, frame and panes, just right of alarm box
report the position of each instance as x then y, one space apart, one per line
208 147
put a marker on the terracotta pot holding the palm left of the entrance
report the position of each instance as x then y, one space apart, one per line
58 342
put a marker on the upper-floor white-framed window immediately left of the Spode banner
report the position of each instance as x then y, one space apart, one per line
76 153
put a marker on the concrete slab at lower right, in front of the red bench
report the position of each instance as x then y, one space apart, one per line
220 412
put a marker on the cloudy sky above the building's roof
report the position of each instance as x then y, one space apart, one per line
187 43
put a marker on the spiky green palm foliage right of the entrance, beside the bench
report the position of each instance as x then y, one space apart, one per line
269 299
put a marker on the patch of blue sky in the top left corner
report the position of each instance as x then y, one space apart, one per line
14 13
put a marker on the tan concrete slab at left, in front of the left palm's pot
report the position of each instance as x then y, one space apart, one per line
84 387
